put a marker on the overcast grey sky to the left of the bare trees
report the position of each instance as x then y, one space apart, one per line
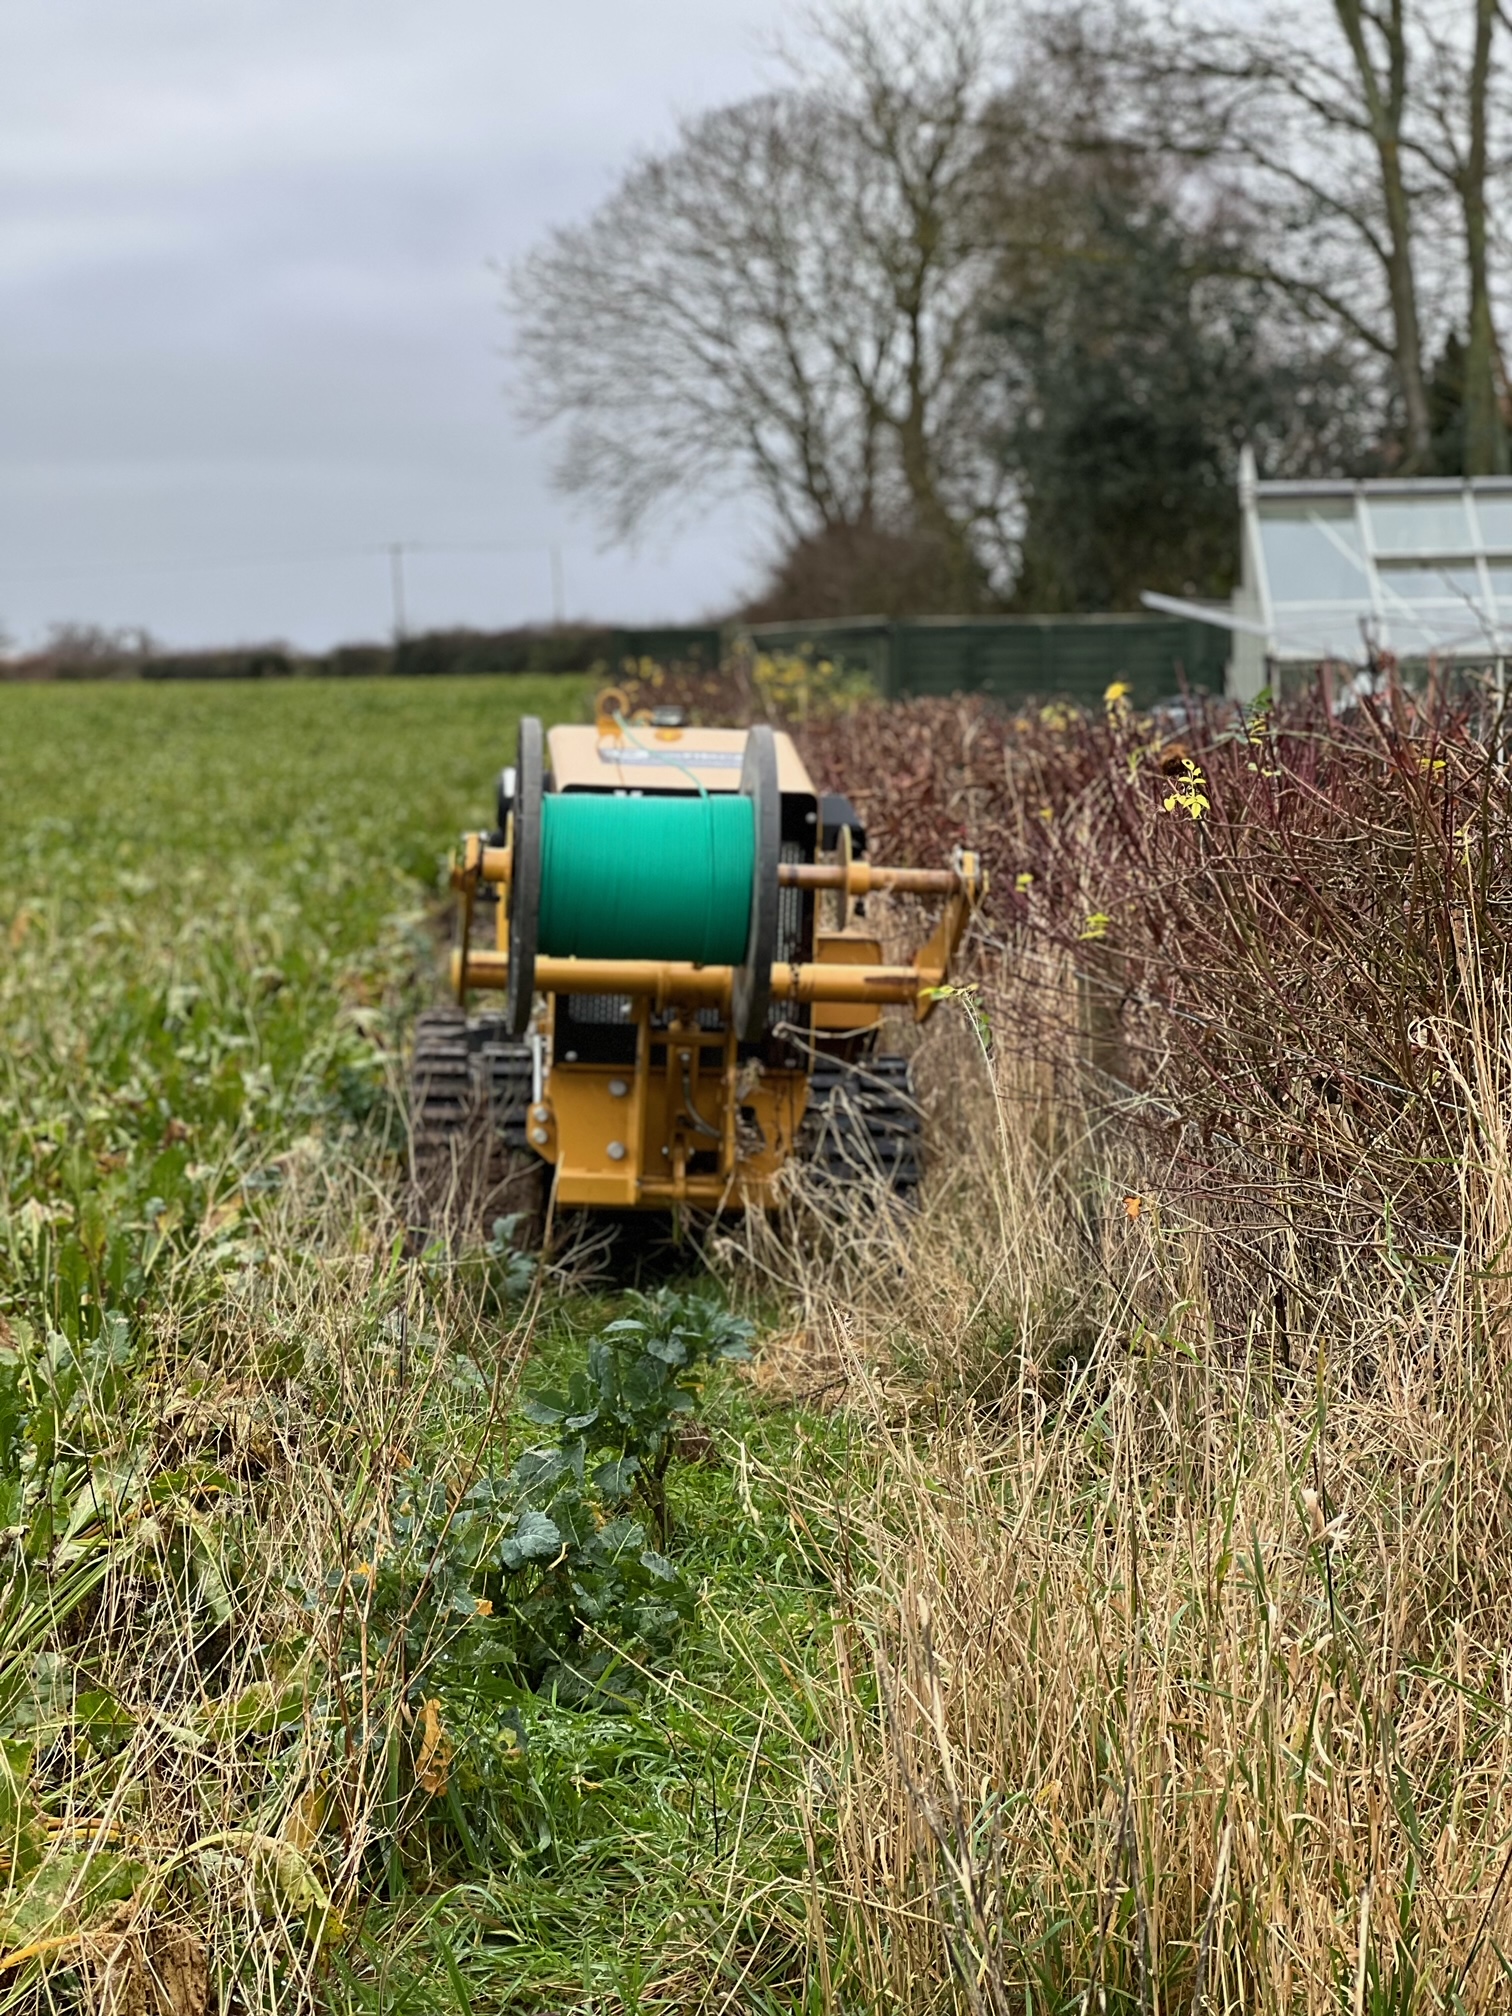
249 328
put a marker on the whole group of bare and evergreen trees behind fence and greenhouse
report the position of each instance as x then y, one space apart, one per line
983 301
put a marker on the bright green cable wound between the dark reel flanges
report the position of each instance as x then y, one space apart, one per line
646 878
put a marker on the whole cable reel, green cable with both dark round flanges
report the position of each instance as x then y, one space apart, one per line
600 876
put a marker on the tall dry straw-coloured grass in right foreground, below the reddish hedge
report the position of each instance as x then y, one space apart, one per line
1170 1676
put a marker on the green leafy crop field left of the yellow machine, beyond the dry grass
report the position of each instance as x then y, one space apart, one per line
215 914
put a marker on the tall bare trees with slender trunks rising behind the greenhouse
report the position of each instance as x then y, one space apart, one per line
1360 132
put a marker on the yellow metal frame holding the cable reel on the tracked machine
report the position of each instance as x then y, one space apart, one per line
688 1124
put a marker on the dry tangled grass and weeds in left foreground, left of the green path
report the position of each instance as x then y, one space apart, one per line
245 1759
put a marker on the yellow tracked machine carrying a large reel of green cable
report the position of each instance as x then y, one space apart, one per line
692 989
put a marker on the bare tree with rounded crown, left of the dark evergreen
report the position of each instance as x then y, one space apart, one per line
791 297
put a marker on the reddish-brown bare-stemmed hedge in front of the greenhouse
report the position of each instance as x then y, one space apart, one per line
1287 934
